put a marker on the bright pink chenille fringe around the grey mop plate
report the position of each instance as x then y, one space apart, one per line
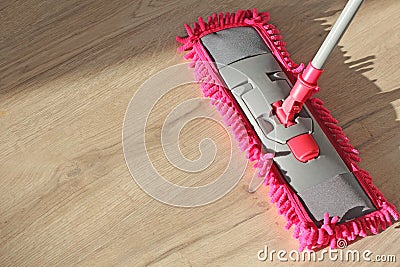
310 236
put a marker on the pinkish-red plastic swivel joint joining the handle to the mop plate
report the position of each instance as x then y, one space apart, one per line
303 89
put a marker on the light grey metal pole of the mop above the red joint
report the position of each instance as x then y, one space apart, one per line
336 33
